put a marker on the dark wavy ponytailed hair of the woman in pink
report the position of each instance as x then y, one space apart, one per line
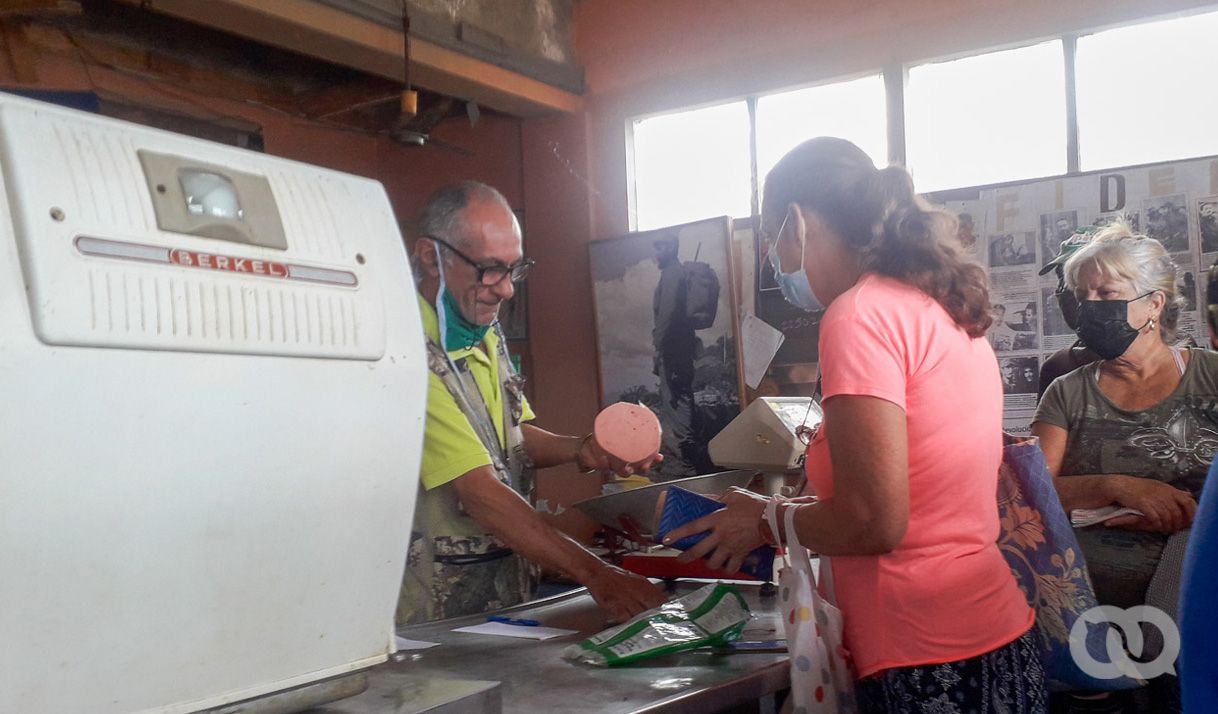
893 231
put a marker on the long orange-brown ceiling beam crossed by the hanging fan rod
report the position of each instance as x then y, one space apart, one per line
323 32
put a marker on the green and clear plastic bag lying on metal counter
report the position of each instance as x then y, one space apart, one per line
708 617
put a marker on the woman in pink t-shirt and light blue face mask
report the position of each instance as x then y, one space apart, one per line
906 465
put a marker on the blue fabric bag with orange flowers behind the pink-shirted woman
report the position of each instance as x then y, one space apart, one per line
1038 543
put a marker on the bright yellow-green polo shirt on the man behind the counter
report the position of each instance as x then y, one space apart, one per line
451 448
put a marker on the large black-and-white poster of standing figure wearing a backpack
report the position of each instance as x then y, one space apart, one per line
667 334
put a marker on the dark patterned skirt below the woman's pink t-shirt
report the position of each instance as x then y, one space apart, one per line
1009 680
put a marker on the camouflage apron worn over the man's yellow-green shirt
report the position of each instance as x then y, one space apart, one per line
456 567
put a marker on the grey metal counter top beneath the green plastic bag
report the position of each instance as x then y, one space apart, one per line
535 678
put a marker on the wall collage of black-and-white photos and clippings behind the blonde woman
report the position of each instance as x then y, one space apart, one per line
1014 231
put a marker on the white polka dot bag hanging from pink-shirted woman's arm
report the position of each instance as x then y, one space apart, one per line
822 682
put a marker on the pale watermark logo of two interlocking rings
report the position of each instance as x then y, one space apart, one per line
1127 622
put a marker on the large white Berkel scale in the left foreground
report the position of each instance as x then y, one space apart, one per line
214 389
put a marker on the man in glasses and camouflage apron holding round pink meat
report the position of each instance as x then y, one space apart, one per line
477 543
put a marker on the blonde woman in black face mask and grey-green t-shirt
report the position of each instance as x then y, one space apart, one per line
1136 429
